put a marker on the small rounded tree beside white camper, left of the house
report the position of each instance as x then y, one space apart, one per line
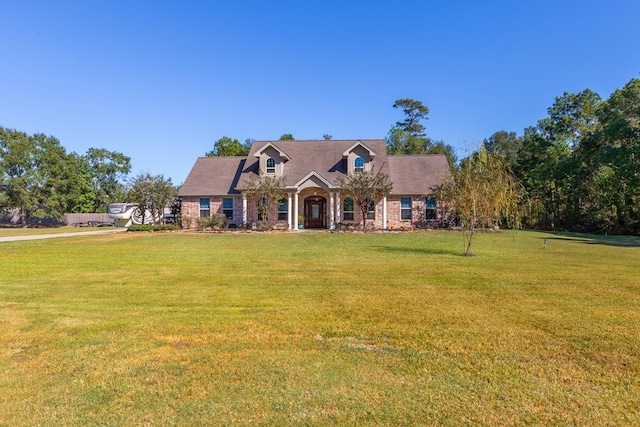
152 193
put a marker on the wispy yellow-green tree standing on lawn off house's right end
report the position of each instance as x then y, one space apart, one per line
483 192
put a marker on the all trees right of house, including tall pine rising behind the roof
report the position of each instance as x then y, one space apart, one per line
577 169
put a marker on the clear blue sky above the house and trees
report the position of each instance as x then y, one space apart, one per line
160 81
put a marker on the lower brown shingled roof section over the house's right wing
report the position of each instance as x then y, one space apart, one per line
417 174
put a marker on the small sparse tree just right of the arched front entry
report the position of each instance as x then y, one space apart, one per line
366 188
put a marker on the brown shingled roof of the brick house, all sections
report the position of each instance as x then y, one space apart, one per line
415 174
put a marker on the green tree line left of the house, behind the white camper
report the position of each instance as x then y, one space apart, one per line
39 179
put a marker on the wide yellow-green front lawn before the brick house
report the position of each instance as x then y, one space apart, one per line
321 329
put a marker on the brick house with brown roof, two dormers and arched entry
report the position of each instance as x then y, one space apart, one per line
312 196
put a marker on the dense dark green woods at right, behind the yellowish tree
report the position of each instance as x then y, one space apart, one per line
580 165
